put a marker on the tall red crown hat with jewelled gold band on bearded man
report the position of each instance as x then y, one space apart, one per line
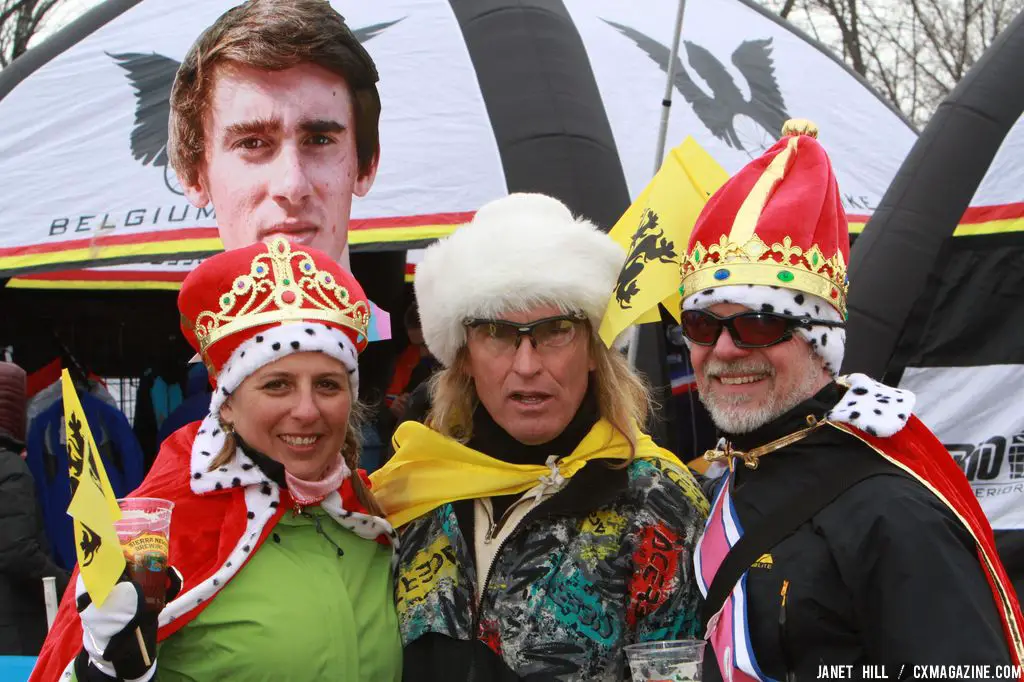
780 222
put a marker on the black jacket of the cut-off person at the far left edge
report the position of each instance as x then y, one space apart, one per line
25 560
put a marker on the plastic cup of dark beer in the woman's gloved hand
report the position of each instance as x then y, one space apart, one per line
145 533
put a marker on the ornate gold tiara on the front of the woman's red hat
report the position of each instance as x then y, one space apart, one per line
283 285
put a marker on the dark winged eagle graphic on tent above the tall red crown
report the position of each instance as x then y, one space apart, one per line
719 113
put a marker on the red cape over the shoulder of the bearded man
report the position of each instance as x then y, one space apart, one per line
916 450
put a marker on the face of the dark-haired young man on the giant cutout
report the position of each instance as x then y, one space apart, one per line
281 157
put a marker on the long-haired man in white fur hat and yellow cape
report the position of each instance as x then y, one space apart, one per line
542 531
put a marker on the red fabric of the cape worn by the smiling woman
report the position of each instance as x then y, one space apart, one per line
204 531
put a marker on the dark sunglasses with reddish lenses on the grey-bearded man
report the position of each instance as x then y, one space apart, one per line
749 330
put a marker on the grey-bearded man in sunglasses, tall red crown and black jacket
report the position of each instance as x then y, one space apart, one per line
842 534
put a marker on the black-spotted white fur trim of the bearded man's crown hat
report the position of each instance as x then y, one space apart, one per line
828 343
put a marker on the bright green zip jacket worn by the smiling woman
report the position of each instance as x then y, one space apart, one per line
297 612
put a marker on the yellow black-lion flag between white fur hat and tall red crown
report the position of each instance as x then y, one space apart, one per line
655 232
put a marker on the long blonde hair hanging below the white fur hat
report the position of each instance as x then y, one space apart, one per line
623 398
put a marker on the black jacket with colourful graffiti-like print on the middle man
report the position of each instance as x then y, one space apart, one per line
606 563
